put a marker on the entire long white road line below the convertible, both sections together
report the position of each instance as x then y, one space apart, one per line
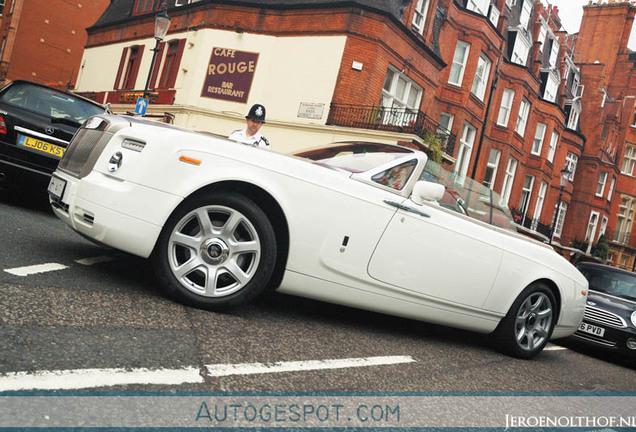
90 378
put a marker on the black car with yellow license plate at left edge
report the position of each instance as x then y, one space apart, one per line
36 124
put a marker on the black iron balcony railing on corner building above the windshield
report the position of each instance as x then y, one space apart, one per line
390 119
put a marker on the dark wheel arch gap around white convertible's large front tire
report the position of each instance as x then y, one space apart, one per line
272 209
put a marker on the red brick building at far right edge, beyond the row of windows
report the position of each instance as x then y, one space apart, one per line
605 195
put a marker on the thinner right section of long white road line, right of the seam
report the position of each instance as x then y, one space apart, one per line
293 366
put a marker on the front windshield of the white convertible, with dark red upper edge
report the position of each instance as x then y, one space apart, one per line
355 157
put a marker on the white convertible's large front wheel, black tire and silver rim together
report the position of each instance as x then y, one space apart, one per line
216 251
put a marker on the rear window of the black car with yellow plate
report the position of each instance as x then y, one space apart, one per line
59 106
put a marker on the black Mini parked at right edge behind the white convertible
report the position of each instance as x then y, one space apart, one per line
610 313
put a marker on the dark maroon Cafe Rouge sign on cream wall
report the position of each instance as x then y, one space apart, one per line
230 74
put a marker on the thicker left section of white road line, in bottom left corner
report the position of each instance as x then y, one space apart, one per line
87 378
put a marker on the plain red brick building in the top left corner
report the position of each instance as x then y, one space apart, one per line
43 40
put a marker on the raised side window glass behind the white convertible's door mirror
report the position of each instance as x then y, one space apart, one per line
466 196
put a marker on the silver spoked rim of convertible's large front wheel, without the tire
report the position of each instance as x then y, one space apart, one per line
214 251
